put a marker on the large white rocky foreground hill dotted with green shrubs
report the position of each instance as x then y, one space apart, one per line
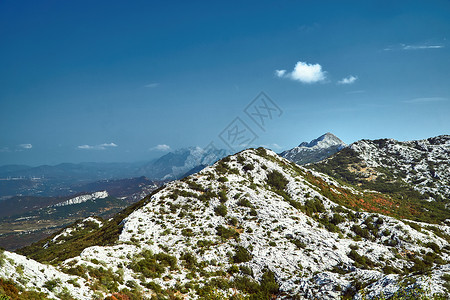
252 225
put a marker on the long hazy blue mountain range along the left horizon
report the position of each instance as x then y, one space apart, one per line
60 180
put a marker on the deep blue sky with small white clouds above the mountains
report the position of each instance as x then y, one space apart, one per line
129 81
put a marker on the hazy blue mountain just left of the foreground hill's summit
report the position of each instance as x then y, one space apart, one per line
176 164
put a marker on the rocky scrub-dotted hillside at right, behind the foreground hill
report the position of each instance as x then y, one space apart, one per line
415 171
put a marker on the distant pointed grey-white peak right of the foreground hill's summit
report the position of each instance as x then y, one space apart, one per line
316 150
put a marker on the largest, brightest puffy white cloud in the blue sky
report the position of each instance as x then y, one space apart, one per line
304 72
